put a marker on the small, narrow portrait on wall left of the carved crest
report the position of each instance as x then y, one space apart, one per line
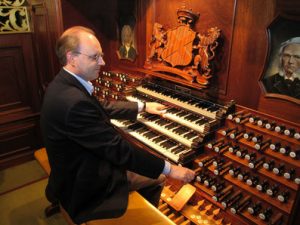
126 29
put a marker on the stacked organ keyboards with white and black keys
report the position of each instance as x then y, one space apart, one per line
180 133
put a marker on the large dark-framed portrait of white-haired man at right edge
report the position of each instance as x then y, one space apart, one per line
281 75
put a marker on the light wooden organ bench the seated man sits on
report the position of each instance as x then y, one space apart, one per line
138 208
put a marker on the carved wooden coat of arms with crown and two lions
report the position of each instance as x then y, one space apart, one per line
182 51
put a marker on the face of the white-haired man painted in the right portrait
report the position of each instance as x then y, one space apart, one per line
291 59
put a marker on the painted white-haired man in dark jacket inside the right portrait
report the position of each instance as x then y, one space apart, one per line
286 81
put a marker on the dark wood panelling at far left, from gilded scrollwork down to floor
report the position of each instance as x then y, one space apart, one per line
20 99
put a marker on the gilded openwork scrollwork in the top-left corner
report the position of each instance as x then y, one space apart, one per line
13 17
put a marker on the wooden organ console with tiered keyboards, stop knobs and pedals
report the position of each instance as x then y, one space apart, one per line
247 163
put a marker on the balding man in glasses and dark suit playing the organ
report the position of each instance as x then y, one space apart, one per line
92 167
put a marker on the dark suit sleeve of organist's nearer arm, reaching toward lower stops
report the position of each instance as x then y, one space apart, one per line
90 128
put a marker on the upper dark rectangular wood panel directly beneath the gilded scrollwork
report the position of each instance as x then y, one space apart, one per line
18 73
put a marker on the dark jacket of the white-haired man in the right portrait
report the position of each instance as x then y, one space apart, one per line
277 84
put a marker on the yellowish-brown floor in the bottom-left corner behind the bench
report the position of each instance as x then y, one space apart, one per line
22 201
